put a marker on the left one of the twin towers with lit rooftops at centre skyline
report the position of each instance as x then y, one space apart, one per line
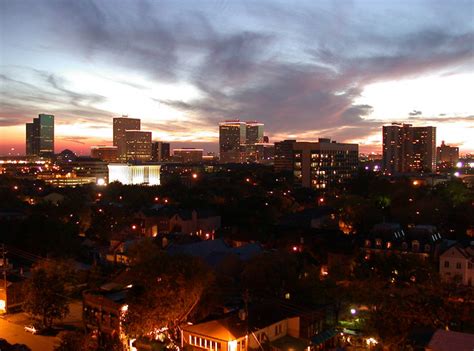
232 137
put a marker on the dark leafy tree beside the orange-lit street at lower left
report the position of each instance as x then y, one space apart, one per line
45 291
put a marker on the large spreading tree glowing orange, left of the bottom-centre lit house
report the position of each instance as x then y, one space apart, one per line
166 290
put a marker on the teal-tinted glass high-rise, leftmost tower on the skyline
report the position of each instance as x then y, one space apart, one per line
40 136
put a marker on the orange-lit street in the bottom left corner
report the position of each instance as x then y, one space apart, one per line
11 329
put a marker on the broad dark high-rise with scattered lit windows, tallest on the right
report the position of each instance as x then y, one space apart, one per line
408 149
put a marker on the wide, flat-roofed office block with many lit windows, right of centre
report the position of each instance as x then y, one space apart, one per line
323 164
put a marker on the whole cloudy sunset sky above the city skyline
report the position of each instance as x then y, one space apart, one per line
338 69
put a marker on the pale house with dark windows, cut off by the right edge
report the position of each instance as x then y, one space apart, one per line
457 263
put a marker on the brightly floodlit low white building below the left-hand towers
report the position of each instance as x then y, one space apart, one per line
128 174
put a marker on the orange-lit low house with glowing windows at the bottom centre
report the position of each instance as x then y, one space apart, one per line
266 326
